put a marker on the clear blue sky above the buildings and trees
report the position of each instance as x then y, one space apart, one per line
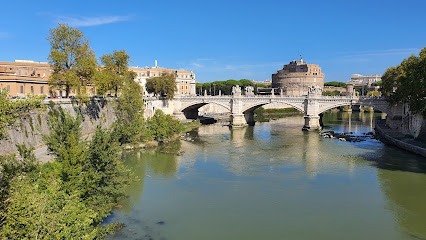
222 40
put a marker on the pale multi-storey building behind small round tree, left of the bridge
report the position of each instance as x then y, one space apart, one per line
185 81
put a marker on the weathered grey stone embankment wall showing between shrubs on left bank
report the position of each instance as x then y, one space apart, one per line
30 130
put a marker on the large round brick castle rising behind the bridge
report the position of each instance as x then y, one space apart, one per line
296 77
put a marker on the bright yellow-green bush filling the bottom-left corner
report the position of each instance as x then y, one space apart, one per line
42 210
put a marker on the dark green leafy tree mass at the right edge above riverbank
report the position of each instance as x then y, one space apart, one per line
406 83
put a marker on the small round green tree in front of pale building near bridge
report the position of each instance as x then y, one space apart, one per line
163 86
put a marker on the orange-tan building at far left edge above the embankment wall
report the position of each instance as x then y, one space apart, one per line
24 77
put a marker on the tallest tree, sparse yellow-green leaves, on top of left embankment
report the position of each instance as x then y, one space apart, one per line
72 60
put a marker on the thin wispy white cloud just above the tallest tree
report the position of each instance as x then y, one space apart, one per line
91 21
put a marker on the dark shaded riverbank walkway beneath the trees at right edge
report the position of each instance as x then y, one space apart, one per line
396 138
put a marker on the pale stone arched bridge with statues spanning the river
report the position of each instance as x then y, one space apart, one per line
241 107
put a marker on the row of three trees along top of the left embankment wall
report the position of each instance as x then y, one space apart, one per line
75 68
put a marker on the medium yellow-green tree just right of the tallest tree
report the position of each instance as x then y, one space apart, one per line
114 73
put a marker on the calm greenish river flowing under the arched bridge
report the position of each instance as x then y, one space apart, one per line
275 181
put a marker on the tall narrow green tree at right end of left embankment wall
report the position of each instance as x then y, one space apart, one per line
129 112
